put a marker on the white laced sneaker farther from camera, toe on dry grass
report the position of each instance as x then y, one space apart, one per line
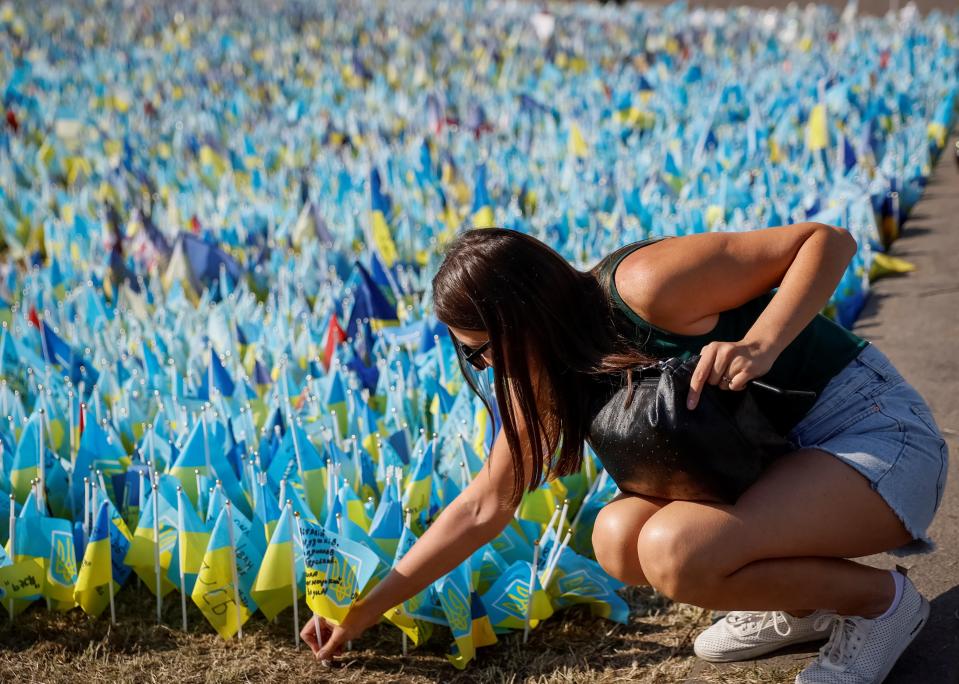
742 635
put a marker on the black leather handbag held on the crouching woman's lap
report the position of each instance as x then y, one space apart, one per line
651 444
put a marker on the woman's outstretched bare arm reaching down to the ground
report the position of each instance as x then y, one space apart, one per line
476 516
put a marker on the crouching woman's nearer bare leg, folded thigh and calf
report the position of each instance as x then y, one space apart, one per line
782 546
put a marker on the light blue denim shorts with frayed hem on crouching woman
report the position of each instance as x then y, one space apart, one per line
869 417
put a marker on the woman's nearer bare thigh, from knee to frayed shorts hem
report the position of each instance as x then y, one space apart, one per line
807 503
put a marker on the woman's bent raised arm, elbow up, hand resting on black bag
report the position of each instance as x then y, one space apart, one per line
683 284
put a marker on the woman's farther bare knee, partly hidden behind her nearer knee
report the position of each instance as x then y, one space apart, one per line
616 533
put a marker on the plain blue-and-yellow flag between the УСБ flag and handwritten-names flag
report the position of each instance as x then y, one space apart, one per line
273 588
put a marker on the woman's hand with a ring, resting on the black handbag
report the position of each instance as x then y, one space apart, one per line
730 365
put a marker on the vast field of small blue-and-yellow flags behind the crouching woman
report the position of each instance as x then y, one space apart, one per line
222 389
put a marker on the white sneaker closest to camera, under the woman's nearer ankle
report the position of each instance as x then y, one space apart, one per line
862 651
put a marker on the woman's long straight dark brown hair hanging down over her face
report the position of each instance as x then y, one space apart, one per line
534 305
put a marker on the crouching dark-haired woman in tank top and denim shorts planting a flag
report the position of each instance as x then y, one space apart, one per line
866 476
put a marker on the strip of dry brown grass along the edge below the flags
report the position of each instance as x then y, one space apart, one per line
570 647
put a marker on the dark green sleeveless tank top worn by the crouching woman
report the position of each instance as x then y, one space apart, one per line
819 352
